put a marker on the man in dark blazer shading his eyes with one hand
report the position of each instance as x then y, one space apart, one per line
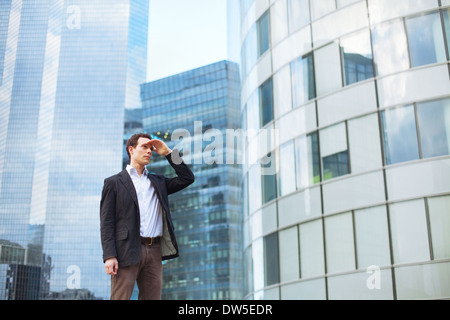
135 221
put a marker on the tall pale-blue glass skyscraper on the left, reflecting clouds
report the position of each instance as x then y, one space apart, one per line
68 69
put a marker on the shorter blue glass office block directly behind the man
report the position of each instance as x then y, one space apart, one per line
192 111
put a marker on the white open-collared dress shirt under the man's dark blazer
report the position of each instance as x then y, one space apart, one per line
149 206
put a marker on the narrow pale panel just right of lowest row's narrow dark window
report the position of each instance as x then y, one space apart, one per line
289 268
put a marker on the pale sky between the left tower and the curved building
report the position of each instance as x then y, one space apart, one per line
185 34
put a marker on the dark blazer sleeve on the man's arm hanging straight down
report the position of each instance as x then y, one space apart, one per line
107 220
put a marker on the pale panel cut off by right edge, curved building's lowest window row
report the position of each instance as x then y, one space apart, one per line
439 209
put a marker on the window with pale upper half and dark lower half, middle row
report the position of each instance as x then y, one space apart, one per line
334 151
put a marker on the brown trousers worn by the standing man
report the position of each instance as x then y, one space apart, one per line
147 273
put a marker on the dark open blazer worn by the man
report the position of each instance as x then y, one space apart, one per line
120 217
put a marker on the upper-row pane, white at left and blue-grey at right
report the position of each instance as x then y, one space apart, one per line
302 72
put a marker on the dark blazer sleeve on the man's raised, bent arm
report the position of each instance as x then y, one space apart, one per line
184 177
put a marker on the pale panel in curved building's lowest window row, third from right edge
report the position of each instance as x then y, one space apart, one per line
372 237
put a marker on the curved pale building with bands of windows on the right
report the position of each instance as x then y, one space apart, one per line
359 95
